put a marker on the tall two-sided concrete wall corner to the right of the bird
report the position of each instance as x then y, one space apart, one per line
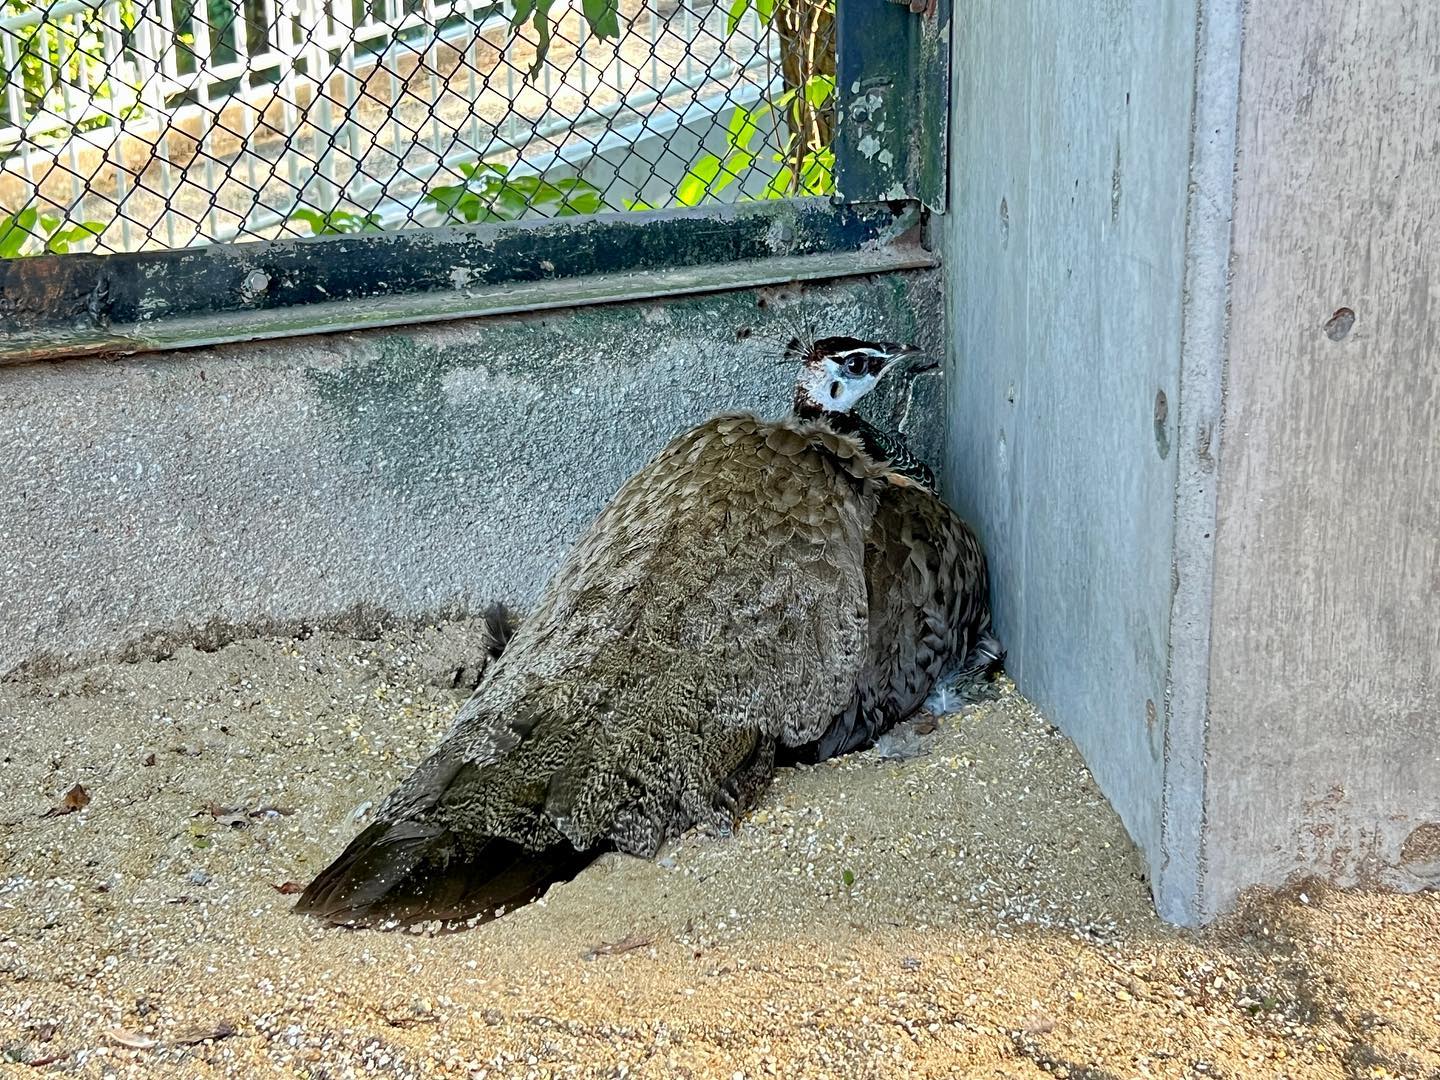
1230 598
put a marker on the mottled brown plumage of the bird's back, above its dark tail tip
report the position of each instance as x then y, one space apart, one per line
722 588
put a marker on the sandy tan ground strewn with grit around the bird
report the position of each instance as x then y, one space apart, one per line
973 911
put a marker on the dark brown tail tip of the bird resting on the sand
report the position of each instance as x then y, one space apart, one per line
398 873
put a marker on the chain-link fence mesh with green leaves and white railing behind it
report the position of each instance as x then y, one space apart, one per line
150 125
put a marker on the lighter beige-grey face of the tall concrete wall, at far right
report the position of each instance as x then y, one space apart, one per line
1326 673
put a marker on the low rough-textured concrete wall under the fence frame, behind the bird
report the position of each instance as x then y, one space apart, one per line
377 476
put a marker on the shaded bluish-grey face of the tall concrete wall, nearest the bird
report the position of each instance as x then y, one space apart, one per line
1065 257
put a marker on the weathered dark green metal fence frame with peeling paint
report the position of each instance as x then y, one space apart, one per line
894 83
